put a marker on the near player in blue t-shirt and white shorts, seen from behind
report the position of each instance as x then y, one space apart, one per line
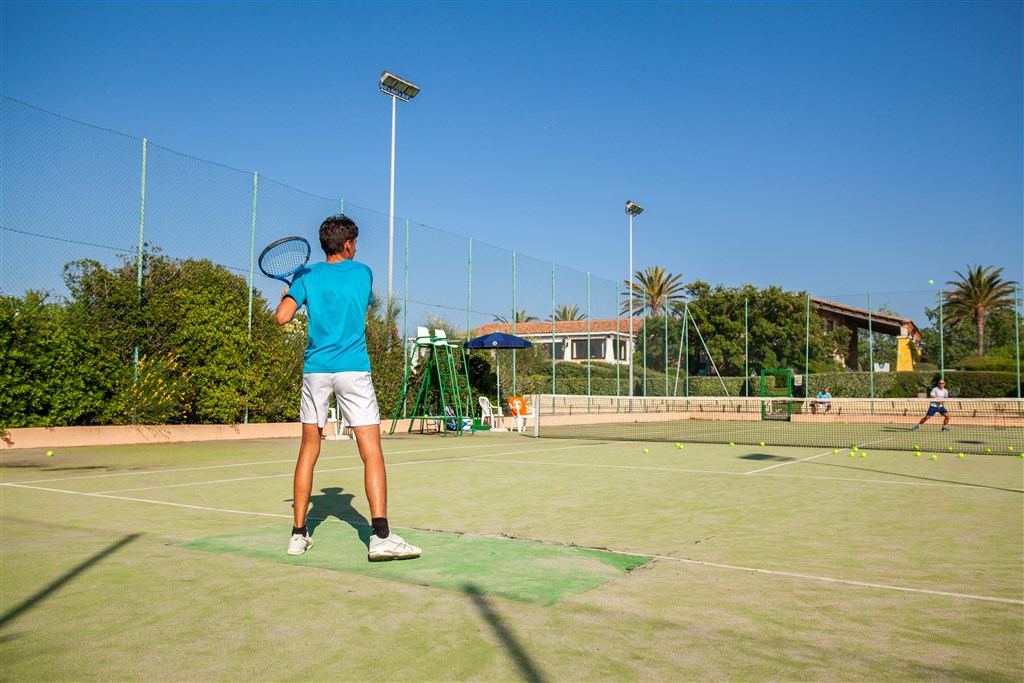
337 294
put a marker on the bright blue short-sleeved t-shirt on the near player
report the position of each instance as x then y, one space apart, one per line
336 296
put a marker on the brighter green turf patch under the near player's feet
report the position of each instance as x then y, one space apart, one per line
525 571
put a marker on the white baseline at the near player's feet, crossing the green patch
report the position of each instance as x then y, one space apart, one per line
776 573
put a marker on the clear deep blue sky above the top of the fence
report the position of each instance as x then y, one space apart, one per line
830 147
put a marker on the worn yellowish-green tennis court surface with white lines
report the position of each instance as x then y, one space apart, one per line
544 561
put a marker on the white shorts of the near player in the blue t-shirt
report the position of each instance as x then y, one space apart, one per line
354 392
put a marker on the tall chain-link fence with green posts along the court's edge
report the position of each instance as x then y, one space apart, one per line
82 207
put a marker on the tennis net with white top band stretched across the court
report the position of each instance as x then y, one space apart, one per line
976 425
